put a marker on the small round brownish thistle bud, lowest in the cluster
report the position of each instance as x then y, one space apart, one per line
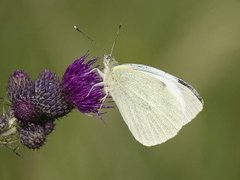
32 136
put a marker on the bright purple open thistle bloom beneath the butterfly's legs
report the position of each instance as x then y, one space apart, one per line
78 80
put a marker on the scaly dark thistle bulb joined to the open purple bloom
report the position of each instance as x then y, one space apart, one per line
48 98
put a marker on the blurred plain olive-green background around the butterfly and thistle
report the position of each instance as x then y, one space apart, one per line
198 41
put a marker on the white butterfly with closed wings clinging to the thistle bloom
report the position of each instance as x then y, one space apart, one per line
154 104
